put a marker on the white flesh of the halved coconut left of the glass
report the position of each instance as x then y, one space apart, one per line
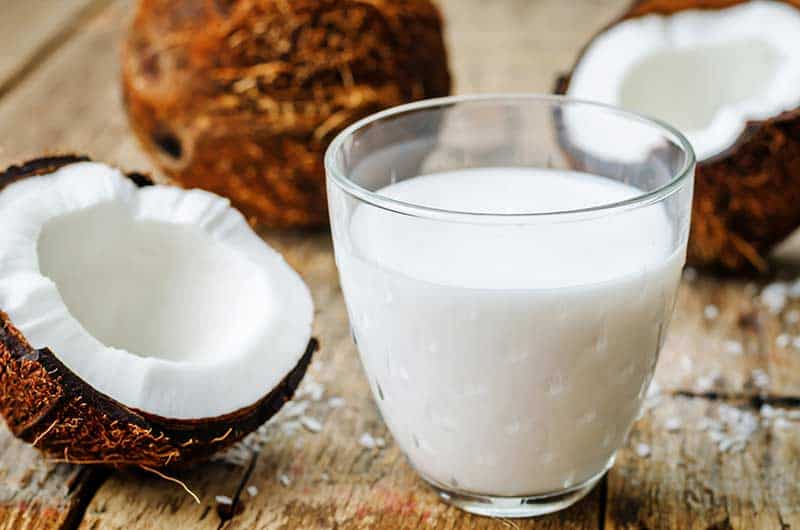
163 299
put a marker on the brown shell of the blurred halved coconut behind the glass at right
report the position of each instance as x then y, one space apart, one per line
745 198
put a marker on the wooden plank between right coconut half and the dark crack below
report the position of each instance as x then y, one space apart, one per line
724 340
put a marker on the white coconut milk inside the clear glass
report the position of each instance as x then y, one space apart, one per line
509 360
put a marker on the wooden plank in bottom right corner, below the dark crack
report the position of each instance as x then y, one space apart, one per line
690 480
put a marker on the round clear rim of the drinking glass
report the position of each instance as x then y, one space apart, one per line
335 173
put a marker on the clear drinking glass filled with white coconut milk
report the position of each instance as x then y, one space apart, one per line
509 264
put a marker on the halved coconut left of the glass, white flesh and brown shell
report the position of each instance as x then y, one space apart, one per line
139 324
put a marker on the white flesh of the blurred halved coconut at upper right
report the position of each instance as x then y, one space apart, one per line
706 72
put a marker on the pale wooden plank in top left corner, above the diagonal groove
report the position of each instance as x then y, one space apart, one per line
31 30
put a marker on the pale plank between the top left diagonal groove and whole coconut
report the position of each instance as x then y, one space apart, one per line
72 103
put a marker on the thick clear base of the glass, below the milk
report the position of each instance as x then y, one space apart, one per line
515 507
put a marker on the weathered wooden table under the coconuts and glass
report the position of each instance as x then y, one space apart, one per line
59 91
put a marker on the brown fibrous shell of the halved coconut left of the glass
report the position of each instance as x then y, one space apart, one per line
46 404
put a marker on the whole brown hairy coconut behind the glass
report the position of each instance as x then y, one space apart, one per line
241 97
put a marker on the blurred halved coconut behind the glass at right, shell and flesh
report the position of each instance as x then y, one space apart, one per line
727 74
